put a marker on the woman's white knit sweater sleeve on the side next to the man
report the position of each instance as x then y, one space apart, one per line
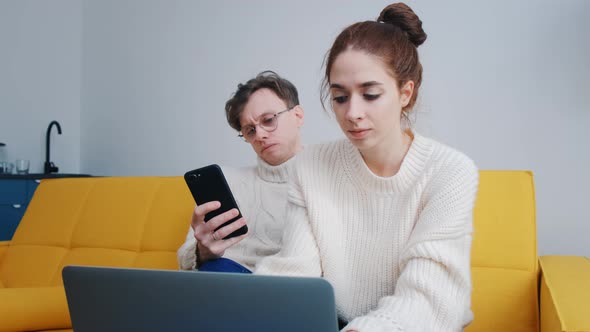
299 254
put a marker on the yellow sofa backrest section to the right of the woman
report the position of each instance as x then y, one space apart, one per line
504 263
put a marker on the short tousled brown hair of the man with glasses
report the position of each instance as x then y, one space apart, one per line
284 89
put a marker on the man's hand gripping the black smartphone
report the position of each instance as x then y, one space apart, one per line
211 241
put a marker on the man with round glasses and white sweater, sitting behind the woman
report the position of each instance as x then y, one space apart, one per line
266 113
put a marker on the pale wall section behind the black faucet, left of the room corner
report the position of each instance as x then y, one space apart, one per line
40 53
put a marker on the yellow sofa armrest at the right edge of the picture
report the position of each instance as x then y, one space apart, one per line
565 292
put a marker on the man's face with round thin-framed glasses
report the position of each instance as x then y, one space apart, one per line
278 145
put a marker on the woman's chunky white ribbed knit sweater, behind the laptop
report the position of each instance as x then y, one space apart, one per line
397 249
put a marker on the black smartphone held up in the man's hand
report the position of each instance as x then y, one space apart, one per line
209 184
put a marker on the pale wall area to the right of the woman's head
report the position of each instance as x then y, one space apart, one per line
509 83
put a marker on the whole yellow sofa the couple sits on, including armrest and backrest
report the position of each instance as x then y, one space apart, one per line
141 221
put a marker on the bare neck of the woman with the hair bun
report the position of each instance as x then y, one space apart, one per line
386 158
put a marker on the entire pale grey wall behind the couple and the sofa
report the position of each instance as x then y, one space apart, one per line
506 82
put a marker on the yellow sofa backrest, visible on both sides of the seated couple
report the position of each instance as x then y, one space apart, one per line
142 221
